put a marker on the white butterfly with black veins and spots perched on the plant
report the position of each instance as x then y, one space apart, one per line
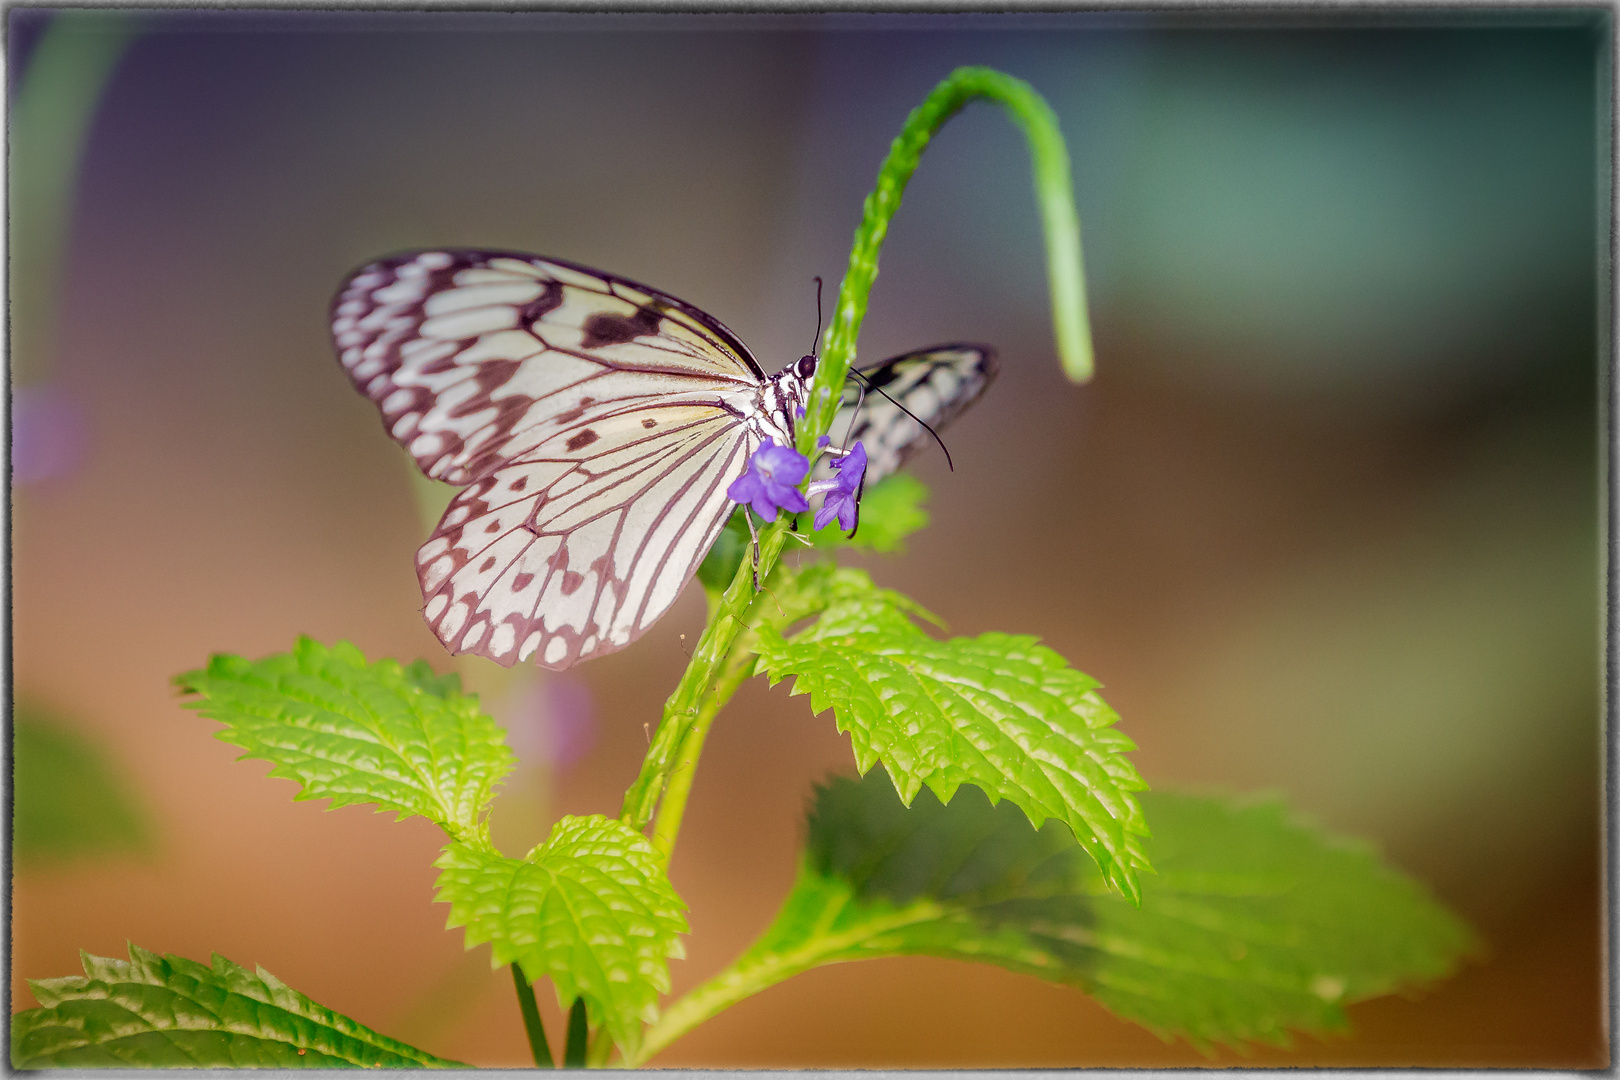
595 425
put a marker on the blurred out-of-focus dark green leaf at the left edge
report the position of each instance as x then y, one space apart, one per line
69 799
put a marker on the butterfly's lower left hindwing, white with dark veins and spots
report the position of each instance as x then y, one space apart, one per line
571 559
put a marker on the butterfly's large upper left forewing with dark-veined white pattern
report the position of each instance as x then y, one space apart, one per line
464 349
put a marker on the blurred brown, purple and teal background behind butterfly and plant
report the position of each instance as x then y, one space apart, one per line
1328 522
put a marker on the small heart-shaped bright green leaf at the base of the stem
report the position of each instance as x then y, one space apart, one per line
590 908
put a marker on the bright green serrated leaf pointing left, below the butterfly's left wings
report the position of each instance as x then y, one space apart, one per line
357 733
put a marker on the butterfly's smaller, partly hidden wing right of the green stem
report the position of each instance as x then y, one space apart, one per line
934 383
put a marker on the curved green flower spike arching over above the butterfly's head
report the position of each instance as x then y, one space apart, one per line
1060 224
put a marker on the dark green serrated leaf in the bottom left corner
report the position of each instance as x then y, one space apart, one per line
169 1013
